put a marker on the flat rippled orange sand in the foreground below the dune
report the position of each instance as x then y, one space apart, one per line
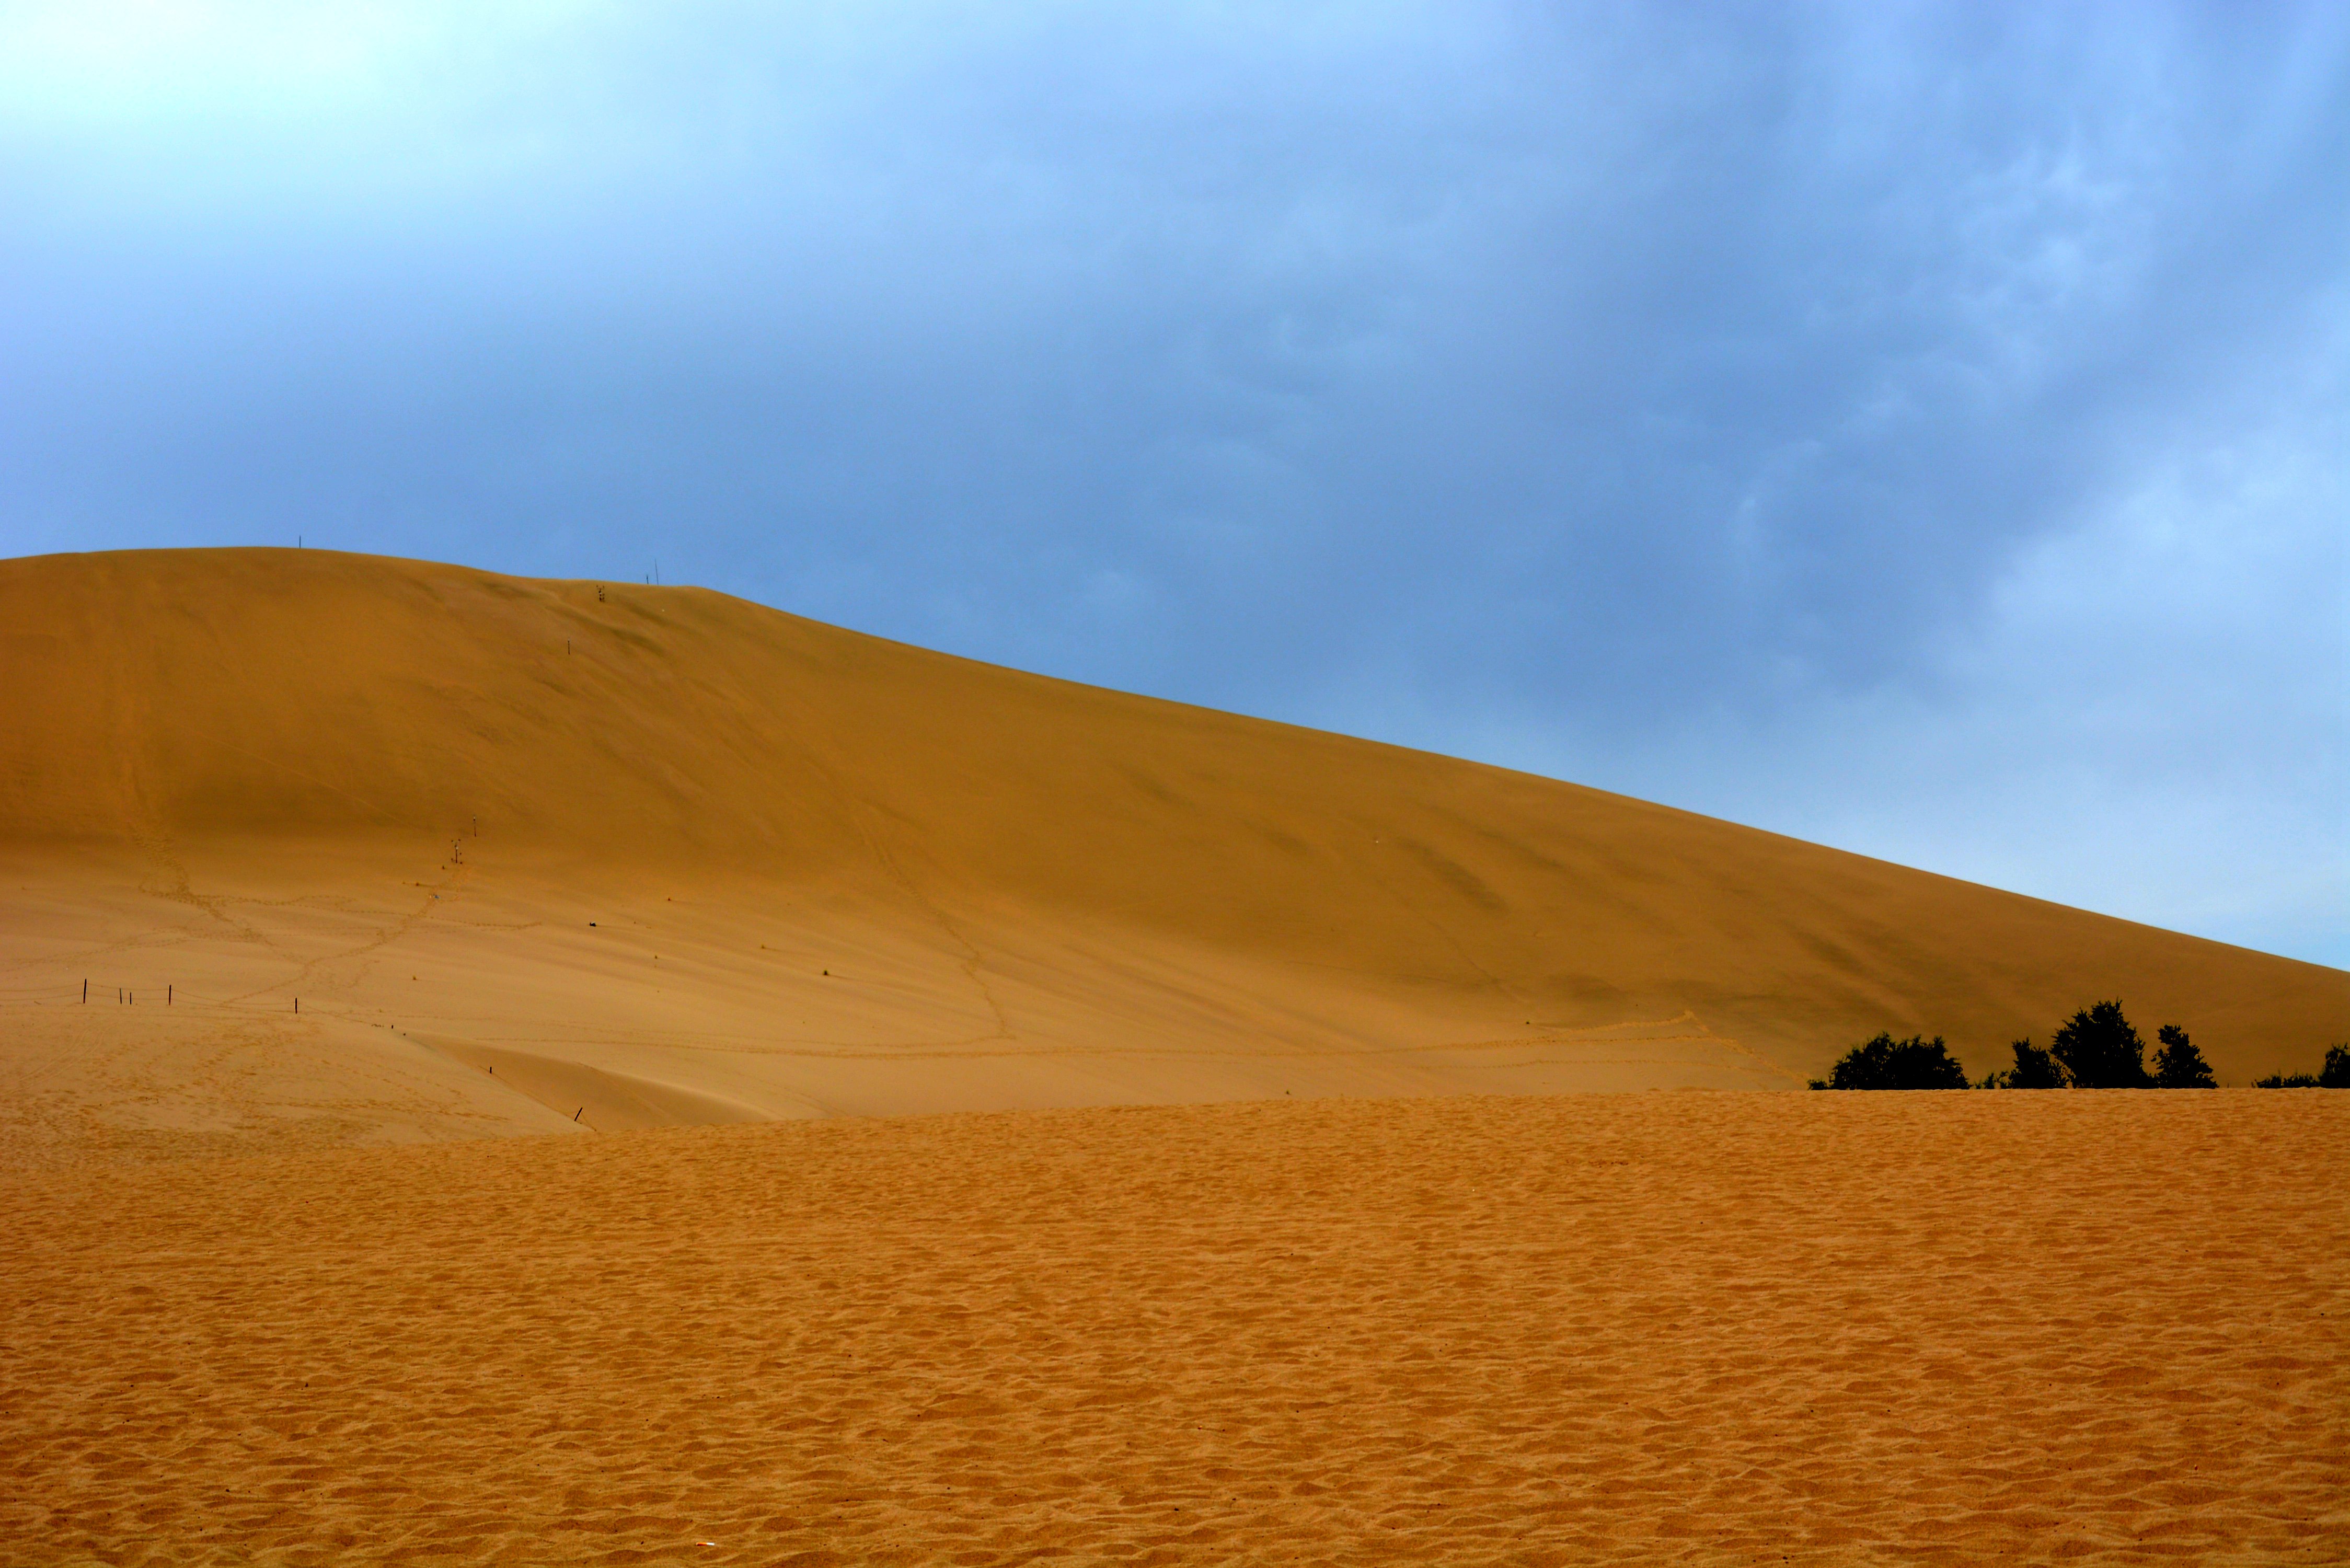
1686 1327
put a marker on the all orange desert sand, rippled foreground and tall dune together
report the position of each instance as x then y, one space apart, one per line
504 1071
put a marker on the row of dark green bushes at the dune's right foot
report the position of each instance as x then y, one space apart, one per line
2093 1050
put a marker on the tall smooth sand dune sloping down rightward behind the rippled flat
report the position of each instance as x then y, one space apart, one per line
617 838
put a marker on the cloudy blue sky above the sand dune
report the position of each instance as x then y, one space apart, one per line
1914 429
